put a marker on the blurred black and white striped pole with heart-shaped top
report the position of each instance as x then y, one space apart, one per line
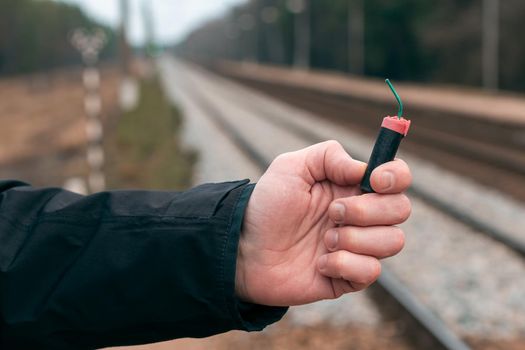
90 45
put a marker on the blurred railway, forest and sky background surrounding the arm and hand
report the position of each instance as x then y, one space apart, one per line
166 94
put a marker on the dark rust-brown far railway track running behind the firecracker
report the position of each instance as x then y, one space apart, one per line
492 153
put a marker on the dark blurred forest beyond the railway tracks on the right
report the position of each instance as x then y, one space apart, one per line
417 40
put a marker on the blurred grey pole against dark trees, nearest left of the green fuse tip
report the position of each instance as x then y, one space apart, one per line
356 37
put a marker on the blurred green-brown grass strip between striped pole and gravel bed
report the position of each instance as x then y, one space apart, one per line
145 150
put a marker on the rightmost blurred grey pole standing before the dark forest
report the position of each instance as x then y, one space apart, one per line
490 44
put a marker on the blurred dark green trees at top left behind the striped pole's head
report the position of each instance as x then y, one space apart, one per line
35 35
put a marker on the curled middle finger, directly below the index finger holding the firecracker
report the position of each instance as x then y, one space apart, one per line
370 210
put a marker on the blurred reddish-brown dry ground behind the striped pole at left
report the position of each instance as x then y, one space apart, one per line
42 137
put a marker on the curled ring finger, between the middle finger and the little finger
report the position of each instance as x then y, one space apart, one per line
378 241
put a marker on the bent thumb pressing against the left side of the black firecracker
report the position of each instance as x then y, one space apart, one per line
329 161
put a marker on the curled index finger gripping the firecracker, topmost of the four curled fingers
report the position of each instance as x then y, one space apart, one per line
391 177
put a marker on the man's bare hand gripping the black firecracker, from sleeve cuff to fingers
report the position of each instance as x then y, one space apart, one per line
309 234
